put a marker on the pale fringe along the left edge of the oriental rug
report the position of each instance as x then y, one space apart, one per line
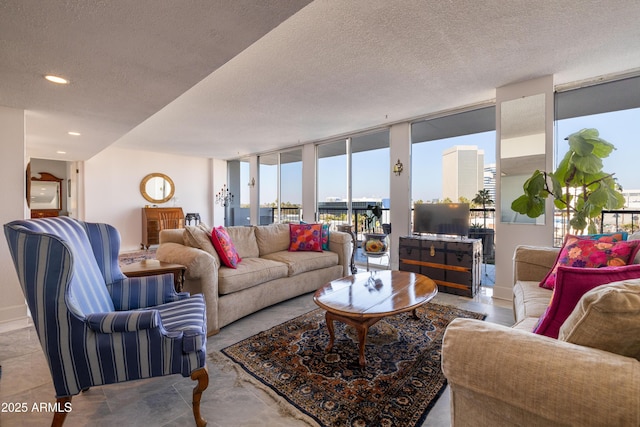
284 407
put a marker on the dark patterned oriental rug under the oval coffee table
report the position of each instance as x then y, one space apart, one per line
398 386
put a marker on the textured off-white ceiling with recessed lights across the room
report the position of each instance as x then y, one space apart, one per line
228 78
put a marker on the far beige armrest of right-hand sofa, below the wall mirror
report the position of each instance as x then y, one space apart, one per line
532 263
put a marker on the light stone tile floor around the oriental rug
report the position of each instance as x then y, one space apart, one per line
166 401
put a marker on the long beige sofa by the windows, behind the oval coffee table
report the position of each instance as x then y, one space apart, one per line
267 274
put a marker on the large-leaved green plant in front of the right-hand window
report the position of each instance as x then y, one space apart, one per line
578 185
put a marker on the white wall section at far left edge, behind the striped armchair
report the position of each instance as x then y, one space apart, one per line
13 166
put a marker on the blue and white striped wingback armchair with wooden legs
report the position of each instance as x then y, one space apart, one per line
97 326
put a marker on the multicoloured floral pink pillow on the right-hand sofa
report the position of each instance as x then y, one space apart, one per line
592 251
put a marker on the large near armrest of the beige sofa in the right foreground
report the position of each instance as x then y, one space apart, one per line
503 376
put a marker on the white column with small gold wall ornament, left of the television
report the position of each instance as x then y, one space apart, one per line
400 186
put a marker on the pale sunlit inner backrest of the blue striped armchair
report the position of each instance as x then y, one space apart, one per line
87 290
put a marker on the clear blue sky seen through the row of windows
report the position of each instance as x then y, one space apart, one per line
371 169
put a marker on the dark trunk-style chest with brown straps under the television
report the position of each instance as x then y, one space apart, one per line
454 263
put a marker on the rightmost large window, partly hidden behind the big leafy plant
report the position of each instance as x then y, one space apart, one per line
613 108
